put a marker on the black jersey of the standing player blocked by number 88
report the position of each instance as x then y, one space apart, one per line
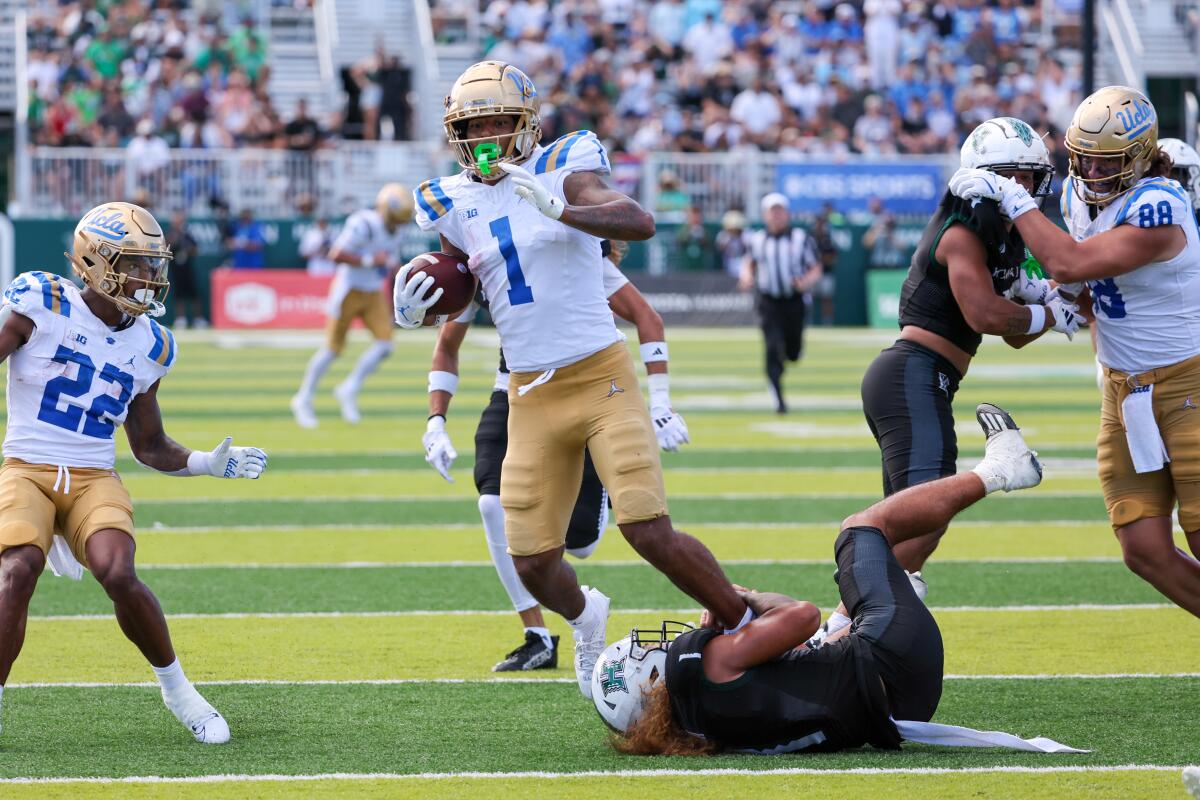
927 300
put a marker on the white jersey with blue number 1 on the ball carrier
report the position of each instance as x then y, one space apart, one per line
543 280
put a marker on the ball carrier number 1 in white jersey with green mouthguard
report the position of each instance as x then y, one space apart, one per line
530 220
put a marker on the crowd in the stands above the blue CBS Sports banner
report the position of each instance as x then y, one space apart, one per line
815 79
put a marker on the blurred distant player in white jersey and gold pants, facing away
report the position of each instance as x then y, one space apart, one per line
364 251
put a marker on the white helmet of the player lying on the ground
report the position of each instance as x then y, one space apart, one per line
623 675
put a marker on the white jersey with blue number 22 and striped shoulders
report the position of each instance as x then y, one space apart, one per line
71 384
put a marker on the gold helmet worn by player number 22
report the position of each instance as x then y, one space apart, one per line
117 244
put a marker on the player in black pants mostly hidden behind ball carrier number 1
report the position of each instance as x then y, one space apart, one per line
591 514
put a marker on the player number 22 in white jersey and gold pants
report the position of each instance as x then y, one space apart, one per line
80 365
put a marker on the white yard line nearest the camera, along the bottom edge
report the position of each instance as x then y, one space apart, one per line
613 774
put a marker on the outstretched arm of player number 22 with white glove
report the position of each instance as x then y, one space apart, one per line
152 447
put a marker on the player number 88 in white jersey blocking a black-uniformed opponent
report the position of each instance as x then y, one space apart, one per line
1135 240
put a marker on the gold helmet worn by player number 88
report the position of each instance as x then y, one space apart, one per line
1114 123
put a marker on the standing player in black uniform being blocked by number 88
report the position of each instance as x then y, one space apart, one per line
964 282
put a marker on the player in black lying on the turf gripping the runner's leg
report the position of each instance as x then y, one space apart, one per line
763 690
